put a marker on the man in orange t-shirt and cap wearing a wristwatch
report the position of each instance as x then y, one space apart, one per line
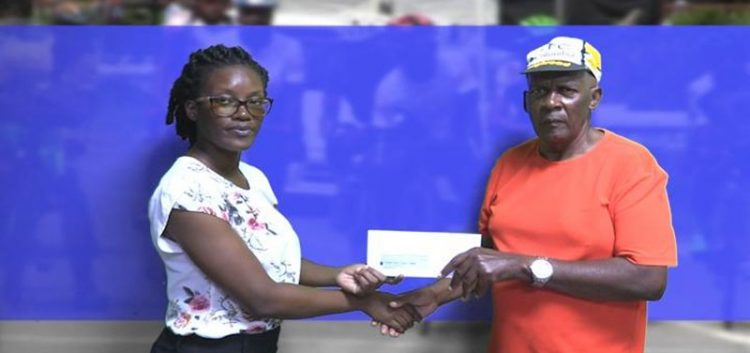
576 224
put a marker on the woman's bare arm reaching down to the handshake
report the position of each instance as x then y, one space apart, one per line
217 250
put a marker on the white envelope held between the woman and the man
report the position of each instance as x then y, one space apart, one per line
416 254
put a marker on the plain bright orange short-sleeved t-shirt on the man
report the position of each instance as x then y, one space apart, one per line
610 201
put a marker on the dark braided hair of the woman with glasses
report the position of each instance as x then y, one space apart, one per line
194 74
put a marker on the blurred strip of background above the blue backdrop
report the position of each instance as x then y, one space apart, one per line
376 12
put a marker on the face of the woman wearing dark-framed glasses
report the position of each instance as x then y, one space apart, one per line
235 132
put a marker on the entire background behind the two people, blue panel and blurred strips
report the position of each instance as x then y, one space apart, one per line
375 100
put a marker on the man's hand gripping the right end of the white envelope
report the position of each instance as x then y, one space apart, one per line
476 269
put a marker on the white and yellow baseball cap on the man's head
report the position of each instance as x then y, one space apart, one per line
565 54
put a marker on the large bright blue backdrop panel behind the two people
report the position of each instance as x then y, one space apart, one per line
391 128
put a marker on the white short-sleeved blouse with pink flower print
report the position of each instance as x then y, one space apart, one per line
196 304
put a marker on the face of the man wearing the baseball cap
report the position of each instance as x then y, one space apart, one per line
560 104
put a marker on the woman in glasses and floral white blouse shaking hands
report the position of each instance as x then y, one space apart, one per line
233 262
